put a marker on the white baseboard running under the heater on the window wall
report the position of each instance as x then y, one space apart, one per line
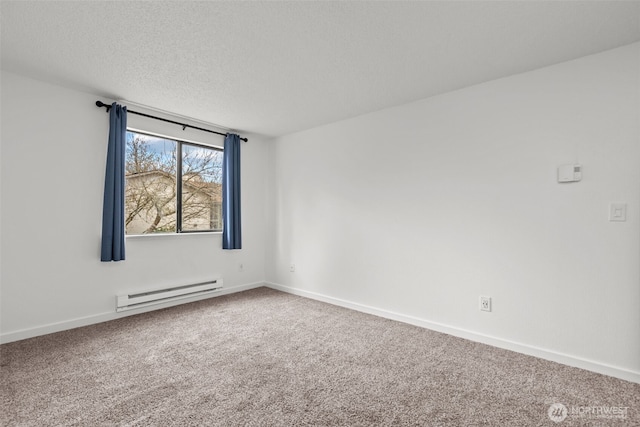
104 317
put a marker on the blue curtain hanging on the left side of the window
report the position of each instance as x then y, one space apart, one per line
113 206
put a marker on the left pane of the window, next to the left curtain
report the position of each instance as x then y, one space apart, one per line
150 197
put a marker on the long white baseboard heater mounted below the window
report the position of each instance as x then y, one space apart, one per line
157 296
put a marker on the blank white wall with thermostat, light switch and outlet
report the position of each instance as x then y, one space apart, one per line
416 211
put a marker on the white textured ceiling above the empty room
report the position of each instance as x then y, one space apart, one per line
277 67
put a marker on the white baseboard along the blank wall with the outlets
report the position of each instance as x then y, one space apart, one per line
542 353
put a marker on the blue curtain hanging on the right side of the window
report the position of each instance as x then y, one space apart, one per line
231 223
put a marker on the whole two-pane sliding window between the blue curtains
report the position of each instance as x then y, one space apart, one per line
171 186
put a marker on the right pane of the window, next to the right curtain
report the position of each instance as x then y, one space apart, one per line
201 188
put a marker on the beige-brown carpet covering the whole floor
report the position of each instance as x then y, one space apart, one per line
266 358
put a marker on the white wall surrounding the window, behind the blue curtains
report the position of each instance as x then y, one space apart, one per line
53 160
